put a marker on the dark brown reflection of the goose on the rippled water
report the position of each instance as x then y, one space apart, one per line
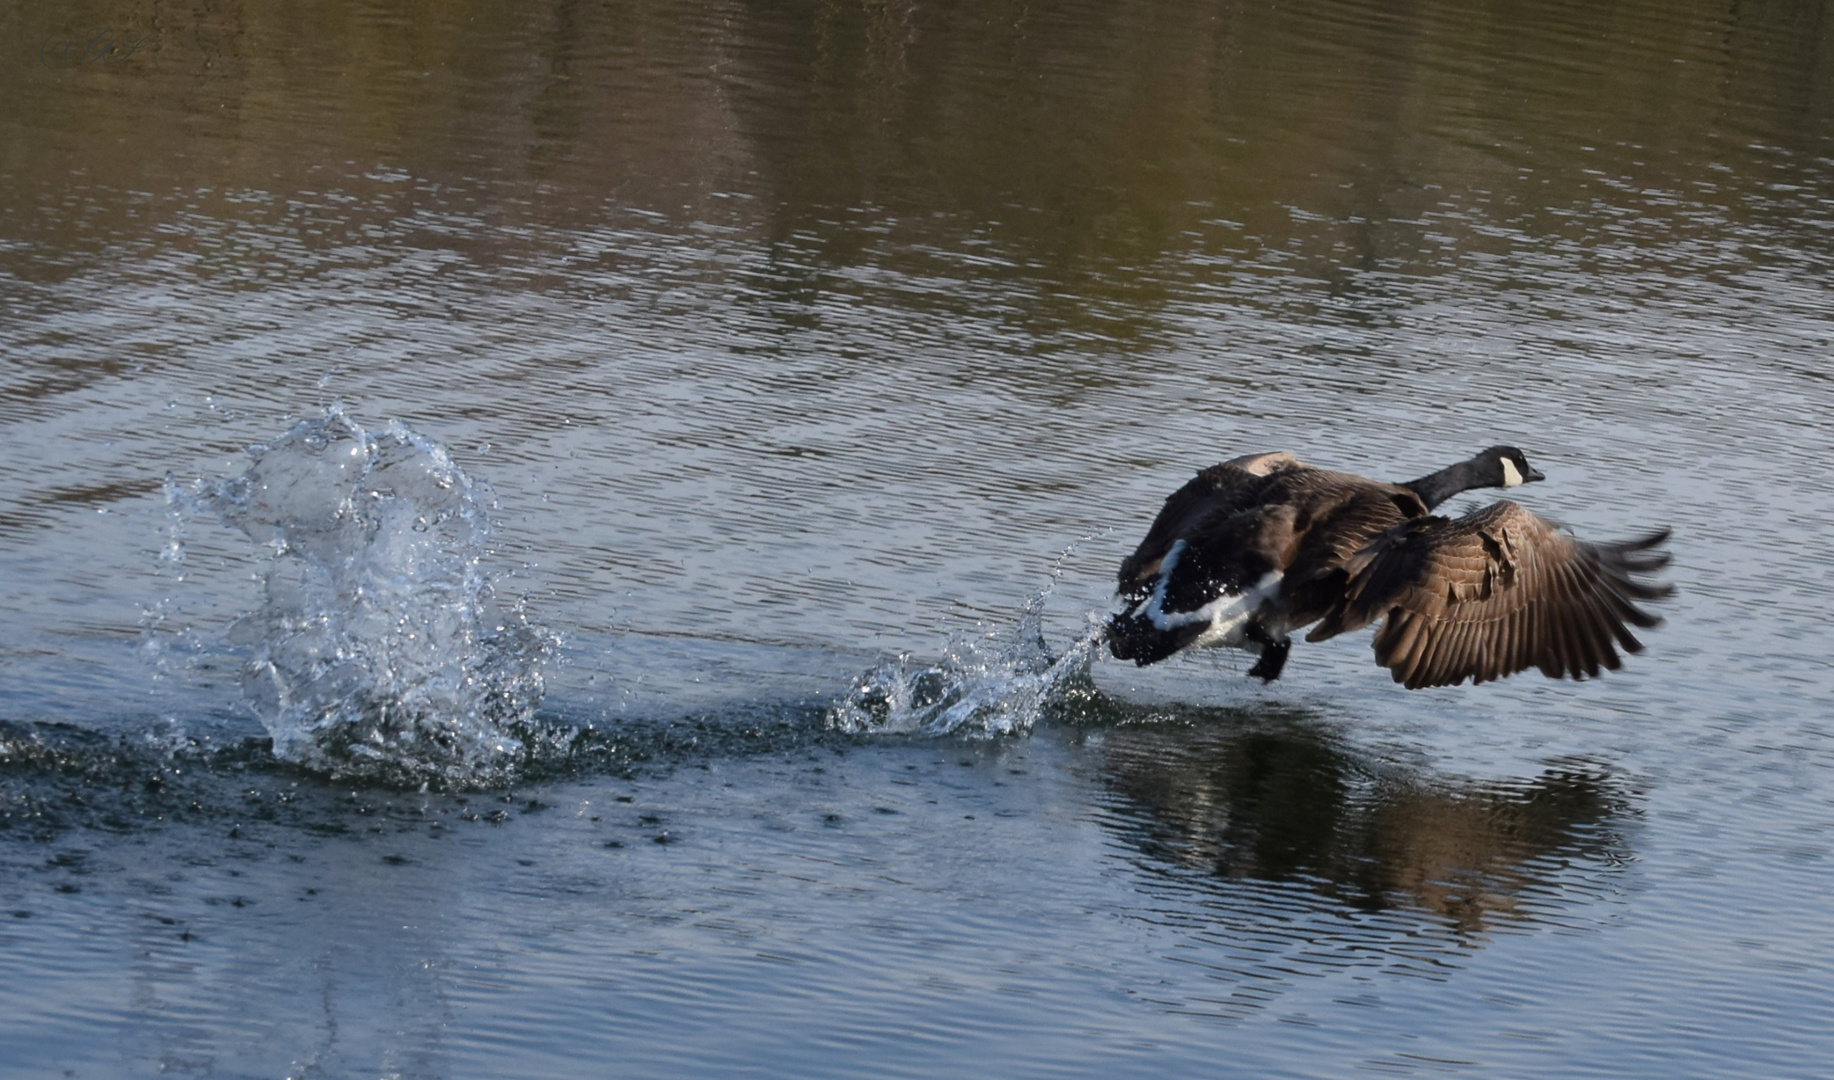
1237 799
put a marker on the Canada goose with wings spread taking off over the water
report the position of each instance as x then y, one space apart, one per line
1265 544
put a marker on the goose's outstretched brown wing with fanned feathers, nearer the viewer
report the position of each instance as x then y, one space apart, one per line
1496 593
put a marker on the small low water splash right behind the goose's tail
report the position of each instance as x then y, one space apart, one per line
999 683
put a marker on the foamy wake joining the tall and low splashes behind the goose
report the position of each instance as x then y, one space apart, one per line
381 650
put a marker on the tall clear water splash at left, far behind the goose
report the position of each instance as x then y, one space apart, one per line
381 648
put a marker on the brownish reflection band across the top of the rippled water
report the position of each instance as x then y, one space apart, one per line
1070 142
